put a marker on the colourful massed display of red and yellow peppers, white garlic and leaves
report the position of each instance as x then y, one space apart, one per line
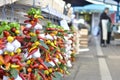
34 52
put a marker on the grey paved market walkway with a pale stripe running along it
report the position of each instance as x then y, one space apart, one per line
97 64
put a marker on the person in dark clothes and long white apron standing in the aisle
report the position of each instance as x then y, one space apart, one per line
104 20
